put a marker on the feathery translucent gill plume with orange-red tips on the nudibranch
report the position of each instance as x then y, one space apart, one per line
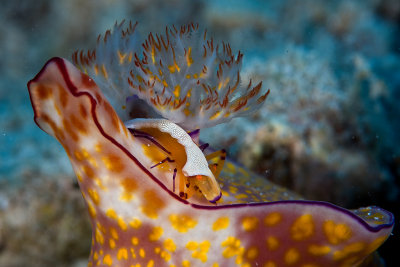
182 75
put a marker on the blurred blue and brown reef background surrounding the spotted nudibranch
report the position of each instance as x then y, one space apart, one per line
328 130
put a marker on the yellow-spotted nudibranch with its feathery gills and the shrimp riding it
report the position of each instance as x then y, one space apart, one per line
127 176
